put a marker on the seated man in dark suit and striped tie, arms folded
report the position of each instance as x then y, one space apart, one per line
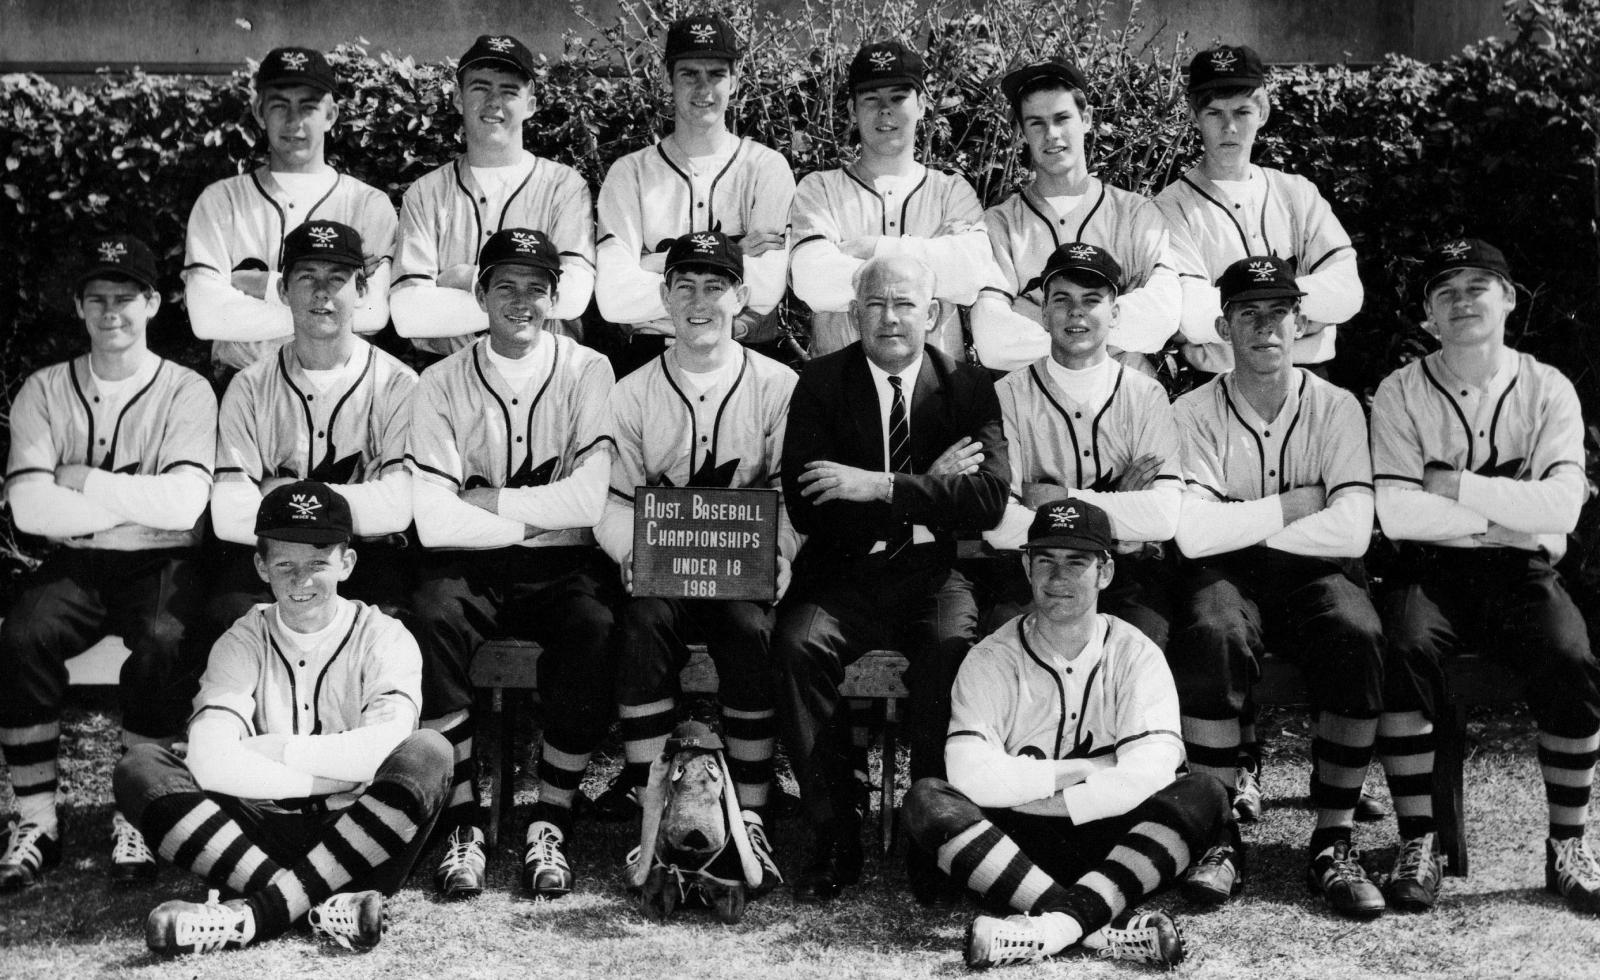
892 451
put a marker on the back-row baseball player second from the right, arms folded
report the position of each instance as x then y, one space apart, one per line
1050 110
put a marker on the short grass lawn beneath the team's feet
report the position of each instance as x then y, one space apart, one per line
1497 923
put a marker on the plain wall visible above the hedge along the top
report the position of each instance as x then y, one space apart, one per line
73 38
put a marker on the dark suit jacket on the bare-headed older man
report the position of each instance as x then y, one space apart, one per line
834 416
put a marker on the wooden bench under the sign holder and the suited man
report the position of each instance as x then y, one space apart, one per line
513 665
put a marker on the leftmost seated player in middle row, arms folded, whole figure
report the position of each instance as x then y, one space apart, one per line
111 460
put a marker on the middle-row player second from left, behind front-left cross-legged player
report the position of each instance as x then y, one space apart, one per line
329 406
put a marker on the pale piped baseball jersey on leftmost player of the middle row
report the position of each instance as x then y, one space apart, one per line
166 425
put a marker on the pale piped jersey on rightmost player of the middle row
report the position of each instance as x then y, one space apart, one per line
1519 446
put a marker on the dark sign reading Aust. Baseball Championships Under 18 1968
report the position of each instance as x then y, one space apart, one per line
706 544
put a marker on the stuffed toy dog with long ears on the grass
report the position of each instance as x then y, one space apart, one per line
694 848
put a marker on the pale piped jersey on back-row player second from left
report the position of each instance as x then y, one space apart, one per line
446 220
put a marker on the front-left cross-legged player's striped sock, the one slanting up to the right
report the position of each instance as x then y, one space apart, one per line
374 830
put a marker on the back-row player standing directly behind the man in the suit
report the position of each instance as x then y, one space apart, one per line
887 204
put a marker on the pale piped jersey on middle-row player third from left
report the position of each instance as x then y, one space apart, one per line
471 430
